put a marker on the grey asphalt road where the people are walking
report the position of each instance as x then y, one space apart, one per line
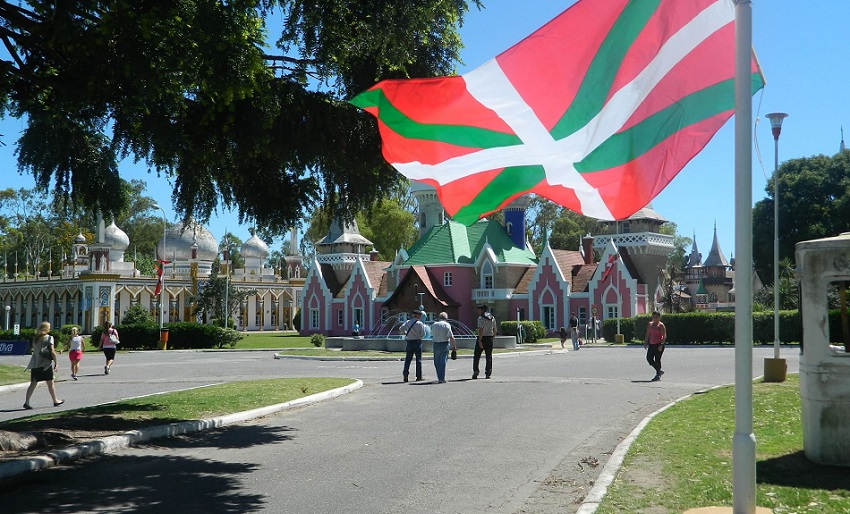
512 444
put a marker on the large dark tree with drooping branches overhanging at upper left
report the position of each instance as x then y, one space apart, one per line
194 90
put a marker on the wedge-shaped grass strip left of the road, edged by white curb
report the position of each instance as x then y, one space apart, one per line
192 404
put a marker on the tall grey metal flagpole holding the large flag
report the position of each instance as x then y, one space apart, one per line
743 441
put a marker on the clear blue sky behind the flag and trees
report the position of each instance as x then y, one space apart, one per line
802 48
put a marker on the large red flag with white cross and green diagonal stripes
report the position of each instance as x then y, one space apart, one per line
597 110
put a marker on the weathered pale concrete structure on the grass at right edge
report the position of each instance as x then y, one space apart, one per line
824 367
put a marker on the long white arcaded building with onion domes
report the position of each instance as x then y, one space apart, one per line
99 282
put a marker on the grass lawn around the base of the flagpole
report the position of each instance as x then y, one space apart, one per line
683 458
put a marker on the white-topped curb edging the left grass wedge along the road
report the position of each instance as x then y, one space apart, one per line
16 468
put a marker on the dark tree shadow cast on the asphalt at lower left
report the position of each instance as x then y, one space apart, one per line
150 483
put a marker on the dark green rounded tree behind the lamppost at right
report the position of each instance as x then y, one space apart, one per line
814 202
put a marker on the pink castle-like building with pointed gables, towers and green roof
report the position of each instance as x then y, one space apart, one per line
454 268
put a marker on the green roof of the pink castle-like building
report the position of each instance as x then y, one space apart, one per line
455 243
